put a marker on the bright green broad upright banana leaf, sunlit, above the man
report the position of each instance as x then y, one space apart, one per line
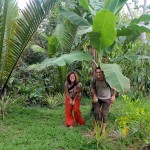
104 32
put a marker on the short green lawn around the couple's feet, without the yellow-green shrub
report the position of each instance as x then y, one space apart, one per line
39 128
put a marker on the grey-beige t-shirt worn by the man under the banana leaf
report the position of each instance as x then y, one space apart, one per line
101 88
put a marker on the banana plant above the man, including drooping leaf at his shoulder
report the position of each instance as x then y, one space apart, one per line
103 31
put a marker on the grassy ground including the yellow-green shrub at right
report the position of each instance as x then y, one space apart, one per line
40 128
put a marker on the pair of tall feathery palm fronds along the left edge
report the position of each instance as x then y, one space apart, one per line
15 33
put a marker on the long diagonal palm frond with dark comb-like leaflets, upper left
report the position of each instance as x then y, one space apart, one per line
22 30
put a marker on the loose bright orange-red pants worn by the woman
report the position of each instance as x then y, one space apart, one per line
69 113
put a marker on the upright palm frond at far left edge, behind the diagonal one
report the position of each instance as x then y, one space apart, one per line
9 11
